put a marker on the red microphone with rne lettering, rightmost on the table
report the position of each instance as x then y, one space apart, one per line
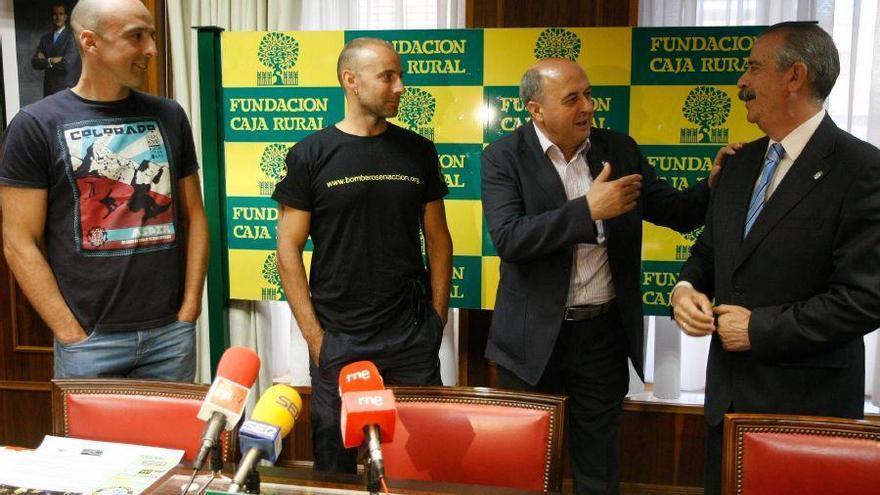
368 412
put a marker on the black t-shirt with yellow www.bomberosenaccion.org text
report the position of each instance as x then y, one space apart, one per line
366 196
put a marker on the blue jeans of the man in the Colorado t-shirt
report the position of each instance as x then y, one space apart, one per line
166 353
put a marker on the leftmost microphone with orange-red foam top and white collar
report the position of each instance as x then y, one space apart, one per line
225 401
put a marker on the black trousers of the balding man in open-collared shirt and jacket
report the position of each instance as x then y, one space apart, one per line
589 364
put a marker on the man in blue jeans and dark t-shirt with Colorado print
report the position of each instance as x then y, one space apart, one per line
106 178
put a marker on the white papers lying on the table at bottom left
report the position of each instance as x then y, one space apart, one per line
70 465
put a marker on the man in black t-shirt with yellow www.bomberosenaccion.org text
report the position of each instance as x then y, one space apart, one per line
363 189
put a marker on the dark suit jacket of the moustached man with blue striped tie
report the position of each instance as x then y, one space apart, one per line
809 271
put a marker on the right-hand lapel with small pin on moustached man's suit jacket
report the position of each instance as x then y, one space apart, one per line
807 171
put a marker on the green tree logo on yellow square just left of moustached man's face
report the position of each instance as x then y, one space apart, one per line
708 109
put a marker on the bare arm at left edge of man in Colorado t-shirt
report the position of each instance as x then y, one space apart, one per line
24 218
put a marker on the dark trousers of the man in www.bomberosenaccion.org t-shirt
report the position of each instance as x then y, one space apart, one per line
406 353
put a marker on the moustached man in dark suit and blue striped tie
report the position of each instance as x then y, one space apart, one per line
791 249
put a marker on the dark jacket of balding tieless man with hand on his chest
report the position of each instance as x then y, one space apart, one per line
535 230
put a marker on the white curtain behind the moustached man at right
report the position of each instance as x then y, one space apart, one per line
854 105
